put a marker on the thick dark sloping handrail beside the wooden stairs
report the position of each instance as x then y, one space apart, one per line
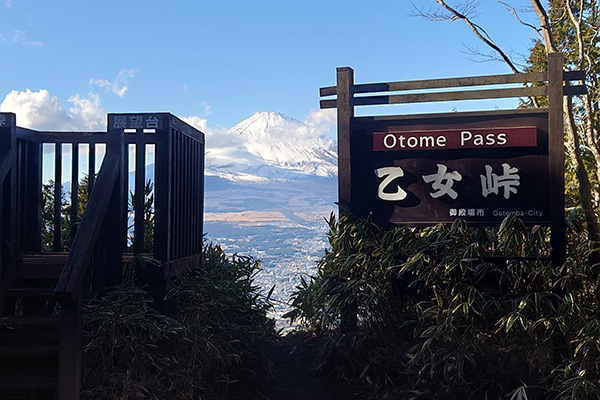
70 281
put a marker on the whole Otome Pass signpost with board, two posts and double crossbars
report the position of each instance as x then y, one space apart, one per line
419 170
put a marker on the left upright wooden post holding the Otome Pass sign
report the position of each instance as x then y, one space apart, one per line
345 114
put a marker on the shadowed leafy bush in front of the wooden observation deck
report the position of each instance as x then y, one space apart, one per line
210 345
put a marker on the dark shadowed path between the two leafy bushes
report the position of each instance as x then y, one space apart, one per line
292 377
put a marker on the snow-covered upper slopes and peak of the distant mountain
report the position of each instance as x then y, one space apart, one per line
270 145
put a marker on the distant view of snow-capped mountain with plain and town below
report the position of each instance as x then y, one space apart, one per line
270 181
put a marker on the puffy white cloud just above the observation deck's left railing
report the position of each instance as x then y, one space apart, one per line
41 111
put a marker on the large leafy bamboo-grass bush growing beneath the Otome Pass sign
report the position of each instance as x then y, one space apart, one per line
455 311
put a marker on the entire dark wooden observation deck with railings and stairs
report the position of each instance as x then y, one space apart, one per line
56 253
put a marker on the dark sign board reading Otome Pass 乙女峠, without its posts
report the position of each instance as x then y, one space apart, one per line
406 173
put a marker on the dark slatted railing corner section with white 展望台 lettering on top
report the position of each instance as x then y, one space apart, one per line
179 186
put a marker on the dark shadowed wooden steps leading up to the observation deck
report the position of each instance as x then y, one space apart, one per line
29 329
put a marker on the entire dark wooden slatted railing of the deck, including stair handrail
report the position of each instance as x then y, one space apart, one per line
110 226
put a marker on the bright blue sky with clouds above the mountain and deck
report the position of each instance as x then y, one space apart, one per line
219 62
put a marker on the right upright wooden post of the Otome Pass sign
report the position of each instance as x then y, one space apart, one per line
557 157
